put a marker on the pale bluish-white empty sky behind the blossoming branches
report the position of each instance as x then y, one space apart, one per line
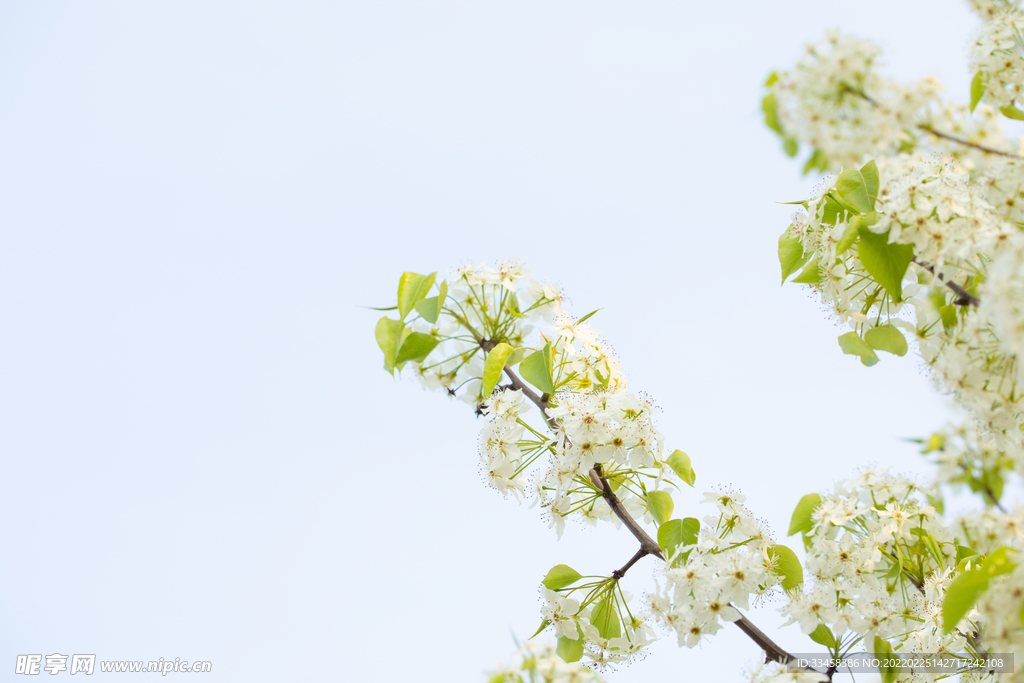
201 456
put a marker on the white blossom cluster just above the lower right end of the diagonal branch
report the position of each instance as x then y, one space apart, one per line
708 582
